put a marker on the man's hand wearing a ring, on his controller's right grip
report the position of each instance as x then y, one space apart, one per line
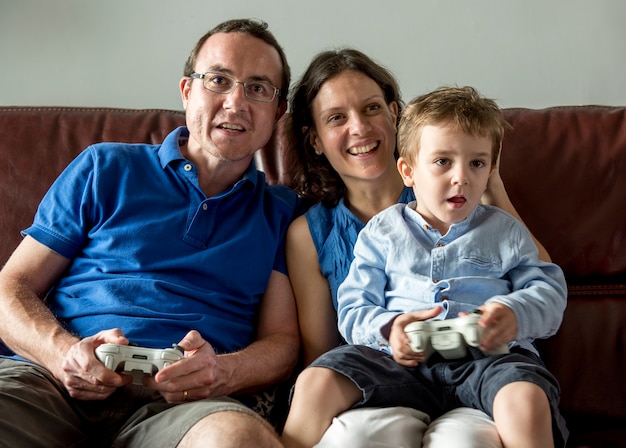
194 377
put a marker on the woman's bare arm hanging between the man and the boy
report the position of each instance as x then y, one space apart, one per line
316 314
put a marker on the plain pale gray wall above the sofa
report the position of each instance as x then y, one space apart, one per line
130 53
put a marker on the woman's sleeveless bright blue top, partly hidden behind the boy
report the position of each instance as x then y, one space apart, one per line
334 232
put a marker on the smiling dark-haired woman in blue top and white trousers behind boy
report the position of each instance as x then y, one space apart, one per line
344 112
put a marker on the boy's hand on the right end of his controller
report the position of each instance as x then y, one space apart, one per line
499 324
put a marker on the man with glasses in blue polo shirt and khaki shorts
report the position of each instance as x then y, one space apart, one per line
176 243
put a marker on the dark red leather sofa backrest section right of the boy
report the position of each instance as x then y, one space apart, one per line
565 170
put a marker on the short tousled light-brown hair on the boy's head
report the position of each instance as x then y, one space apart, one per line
460 107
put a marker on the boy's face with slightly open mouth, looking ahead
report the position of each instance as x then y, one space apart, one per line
449 175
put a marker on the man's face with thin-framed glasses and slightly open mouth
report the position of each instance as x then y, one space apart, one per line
230 127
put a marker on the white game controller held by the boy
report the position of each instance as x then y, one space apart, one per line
449 337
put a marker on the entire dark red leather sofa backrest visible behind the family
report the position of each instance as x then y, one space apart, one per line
563 168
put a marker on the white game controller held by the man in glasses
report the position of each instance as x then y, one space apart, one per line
137 361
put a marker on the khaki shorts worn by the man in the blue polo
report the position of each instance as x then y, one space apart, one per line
37 411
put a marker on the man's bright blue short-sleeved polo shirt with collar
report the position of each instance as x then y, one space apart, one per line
152 254
